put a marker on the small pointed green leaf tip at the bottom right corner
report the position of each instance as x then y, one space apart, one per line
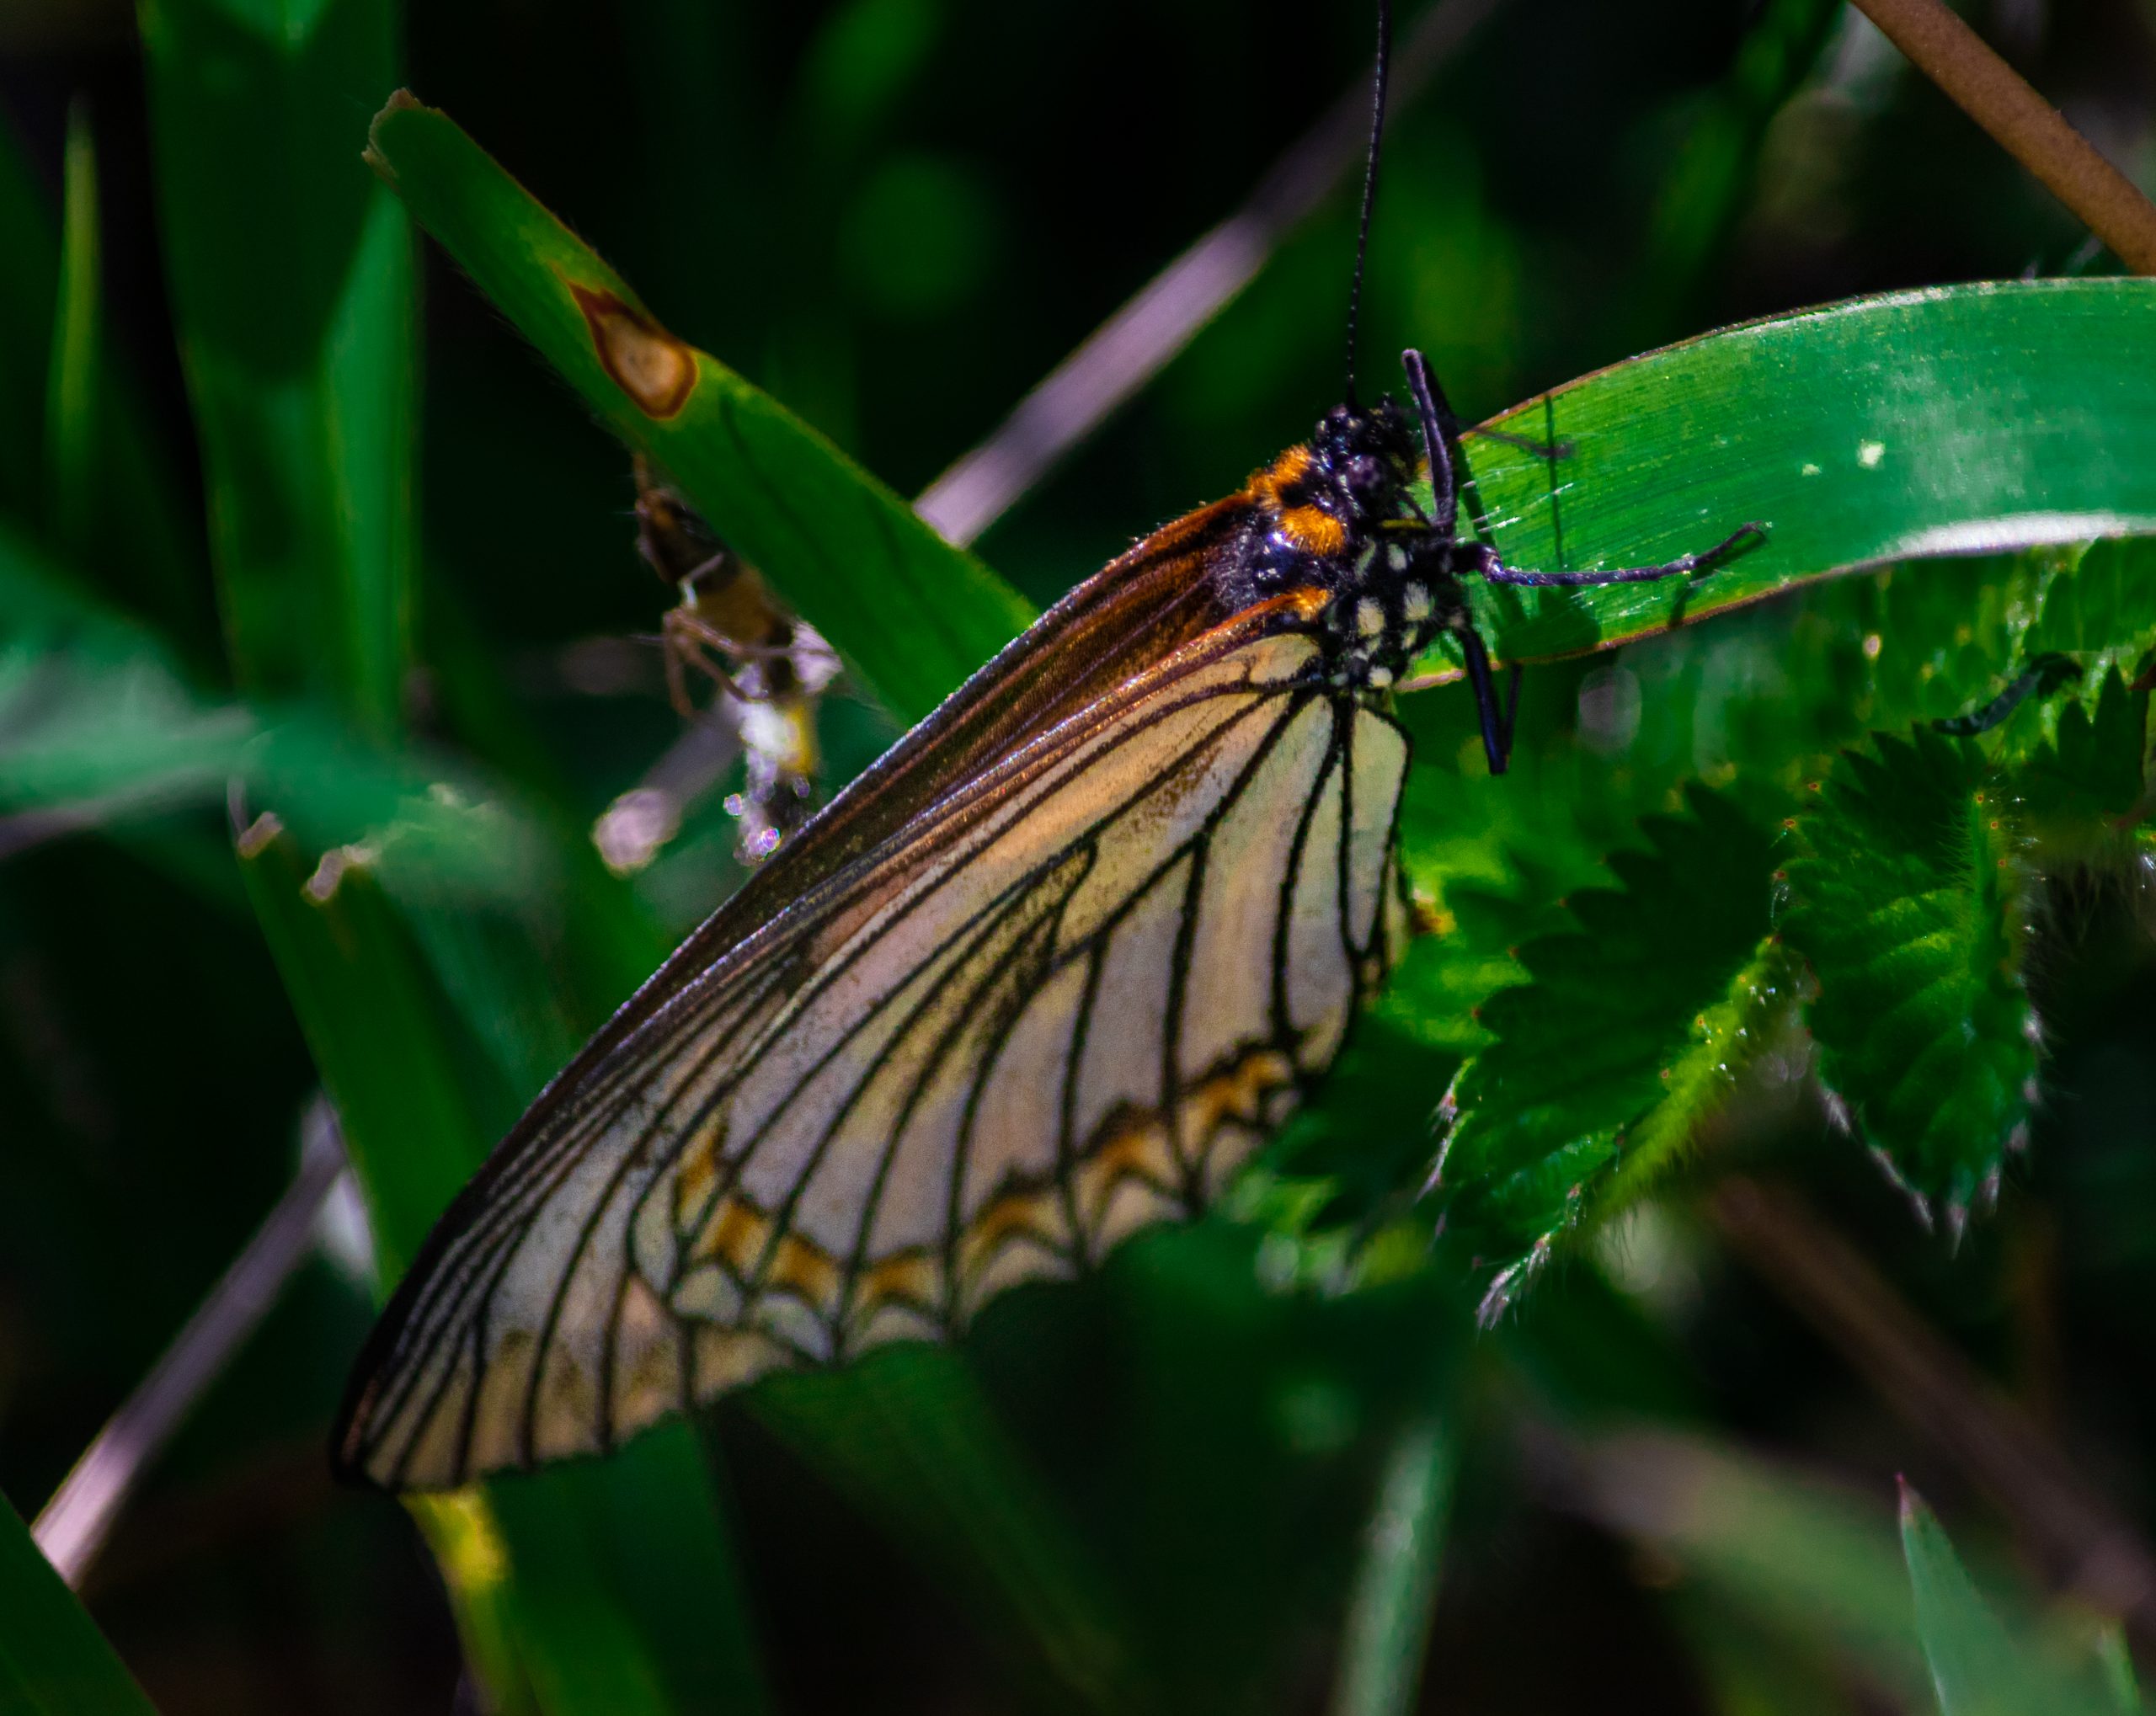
1978 1667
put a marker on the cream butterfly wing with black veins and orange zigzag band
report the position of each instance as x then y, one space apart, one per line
1060 1006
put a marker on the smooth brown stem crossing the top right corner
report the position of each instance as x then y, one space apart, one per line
2023 124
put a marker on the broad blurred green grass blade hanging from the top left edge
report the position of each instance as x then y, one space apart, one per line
292 290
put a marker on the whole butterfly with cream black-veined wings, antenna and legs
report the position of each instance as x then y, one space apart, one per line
1042 975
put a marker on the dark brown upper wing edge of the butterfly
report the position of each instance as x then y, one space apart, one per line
1109 631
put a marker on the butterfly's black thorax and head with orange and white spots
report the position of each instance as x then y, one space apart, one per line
1338 514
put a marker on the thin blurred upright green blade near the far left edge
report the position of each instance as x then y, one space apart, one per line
74 391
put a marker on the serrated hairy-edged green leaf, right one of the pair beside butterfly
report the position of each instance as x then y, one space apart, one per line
1909 902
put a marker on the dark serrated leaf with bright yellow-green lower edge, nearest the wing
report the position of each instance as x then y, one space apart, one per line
1629 1032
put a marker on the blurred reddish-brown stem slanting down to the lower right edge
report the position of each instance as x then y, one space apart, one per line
1944 1398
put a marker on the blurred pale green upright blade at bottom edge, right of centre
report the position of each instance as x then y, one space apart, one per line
1398 1581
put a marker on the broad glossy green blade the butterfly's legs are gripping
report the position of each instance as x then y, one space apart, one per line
1944 421
